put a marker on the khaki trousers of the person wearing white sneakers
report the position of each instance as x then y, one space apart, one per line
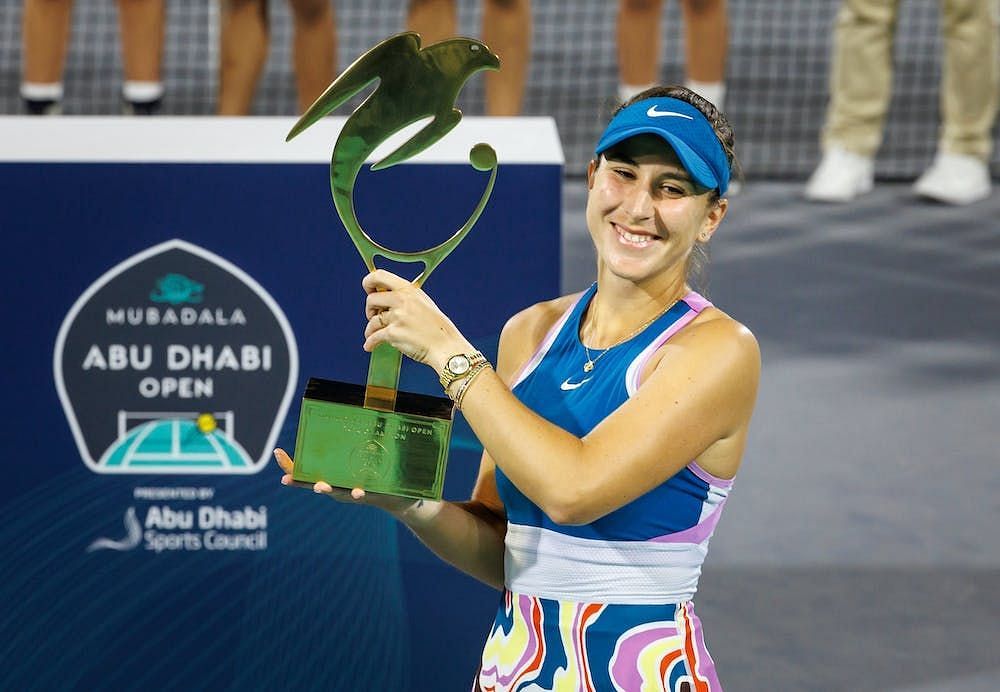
861 75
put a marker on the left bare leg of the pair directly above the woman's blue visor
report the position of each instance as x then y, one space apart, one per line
638 45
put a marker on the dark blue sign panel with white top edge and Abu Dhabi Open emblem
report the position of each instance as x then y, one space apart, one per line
169 285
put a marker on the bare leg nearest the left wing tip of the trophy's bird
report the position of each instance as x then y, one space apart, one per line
315 48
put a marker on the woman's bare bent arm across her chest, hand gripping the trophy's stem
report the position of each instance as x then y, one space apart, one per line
700 393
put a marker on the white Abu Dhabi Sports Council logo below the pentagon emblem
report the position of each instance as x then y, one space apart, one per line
206 527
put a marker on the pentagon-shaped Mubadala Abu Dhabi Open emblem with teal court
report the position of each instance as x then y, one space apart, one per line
175 361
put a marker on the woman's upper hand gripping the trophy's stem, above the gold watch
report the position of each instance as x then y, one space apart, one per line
403 316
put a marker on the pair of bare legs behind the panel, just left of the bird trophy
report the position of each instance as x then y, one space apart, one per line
245 38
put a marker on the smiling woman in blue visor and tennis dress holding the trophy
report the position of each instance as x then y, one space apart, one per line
613 425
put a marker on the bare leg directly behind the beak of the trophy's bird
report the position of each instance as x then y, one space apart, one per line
507 31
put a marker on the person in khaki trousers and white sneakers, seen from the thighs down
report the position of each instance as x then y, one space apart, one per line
860 88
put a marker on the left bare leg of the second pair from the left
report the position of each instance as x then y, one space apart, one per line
243 54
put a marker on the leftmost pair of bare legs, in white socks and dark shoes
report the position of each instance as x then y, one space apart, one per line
45 38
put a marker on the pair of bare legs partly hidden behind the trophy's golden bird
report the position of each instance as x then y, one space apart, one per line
506 30
